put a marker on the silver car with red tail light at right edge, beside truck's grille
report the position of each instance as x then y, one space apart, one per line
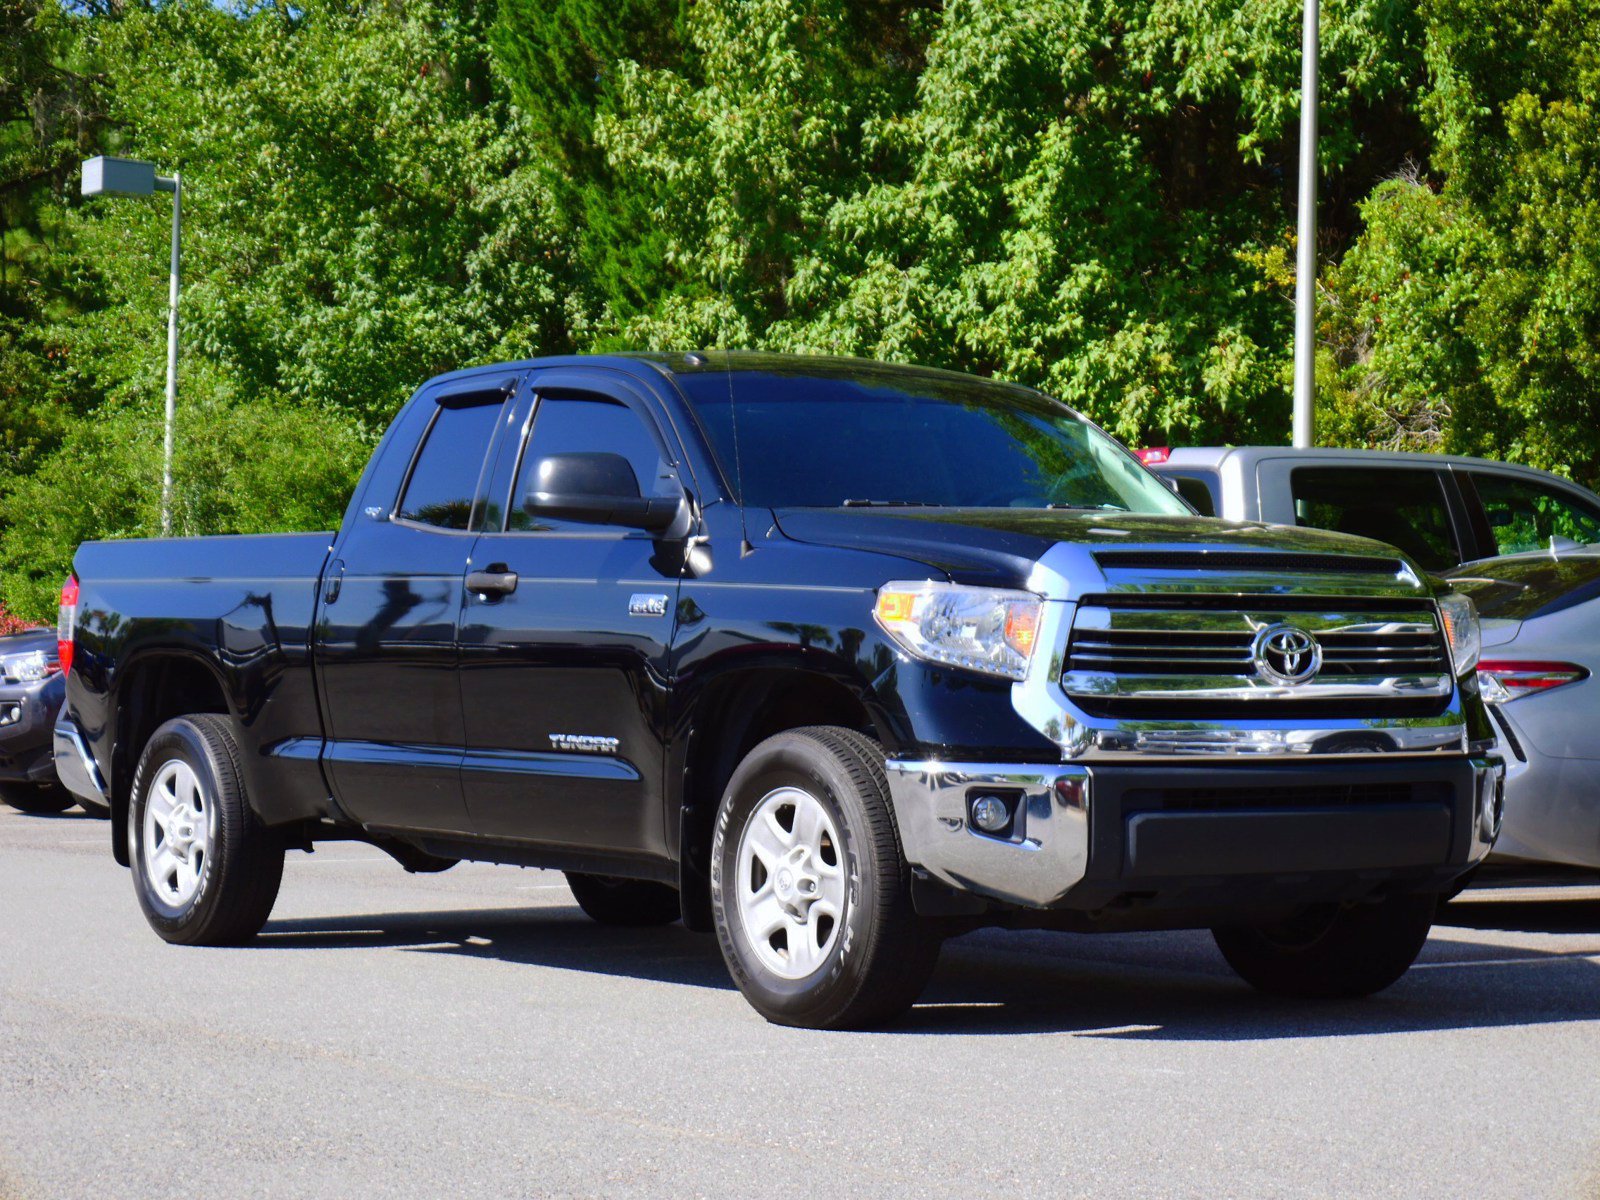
1542 650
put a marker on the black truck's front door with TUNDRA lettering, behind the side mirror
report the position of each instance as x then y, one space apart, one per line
566 633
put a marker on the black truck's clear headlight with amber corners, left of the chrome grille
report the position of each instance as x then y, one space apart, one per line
983 630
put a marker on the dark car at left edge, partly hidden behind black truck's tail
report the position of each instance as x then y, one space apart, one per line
31 692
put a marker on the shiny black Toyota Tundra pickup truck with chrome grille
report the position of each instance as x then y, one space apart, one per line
833 658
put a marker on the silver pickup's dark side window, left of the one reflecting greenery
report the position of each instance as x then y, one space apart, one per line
1402 506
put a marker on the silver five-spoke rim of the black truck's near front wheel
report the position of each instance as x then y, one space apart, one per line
791 882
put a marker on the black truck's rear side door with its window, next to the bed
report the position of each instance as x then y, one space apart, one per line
386 638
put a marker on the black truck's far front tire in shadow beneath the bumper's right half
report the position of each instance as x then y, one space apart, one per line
1332 953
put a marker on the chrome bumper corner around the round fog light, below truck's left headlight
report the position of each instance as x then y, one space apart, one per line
1036 868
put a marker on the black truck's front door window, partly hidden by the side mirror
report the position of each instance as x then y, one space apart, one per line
586 425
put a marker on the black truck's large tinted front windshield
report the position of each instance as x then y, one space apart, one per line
895 438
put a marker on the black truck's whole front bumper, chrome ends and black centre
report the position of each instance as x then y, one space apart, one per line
1092 838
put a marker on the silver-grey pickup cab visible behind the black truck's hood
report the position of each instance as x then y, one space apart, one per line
1441 510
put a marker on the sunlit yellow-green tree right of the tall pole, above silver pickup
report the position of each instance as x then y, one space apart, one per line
1468 316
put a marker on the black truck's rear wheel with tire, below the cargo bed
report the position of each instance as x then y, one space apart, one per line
222 895
